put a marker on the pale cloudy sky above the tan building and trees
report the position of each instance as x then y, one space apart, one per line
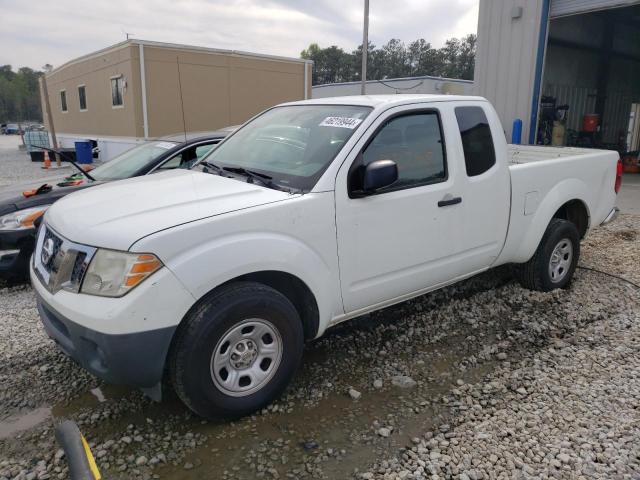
36 32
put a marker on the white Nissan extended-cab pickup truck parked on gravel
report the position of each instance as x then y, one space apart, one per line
312 213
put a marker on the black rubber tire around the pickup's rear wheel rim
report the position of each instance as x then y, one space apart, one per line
534 274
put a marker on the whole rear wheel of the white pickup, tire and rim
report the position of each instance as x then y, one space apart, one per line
555 260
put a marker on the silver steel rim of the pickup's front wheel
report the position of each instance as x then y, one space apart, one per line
246 357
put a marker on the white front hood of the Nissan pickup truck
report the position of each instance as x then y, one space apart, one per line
117 214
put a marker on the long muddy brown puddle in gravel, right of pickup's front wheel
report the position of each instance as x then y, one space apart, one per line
336 422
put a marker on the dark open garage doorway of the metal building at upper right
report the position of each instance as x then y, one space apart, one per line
590 84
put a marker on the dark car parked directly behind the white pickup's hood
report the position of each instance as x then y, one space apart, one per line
19 210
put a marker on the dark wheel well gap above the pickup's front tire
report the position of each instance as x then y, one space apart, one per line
295 290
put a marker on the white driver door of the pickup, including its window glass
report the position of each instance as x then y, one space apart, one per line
400 239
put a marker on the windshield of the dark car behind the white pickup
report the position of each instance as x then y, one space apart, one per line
130 162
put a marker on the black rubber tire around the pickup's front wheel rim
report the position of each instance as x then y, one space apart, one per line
190 367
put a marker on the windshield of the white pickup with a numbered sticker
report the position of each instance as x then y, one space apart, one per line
293 144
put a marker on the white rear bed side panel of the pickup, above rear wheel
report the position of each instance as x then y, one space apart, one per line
544 186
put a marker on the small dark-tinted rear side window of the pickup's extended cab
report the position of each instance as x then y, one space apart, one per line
477 142
